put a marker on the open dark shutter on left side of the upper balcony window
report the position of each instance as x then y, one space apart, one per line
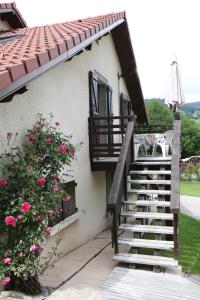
93 93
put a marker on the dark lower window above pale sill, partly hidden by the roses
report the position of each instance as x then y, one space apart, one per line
67 208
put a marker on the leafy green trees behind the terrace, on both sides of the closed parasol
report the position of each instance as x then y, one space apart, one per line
190 130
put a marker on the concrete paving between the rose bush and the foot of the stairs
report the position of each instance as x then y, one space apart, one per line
81 274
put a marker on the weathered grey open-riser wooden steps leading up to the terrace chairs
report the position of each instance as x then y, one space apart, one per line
146 222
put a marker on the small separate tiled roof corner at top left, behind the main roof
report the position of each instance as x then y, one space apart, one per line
9 12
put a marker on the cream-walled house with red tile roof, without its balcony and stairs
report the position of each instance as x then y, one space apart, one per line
52 69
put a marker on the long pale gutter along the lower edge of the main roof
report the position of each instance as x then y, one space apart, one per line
18 84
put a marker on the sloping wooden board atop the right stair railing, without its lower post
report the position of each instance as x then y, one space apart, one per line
175 168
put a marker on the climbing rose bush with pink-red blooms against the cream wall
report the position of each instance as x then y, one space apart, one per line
31 187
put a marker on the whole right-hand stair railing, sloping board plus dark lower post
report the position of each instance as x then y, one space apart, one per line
175 179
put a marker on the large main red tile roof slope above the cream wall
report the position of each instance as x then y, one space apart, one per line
39 45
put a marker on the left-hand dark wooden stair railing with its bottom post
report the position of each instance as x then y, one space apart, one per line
119 184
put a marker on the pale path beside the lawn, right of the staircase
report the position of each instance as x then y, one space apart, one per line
190 206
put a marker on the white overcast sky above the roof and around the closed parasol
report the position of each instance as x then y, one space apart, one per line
158 28
